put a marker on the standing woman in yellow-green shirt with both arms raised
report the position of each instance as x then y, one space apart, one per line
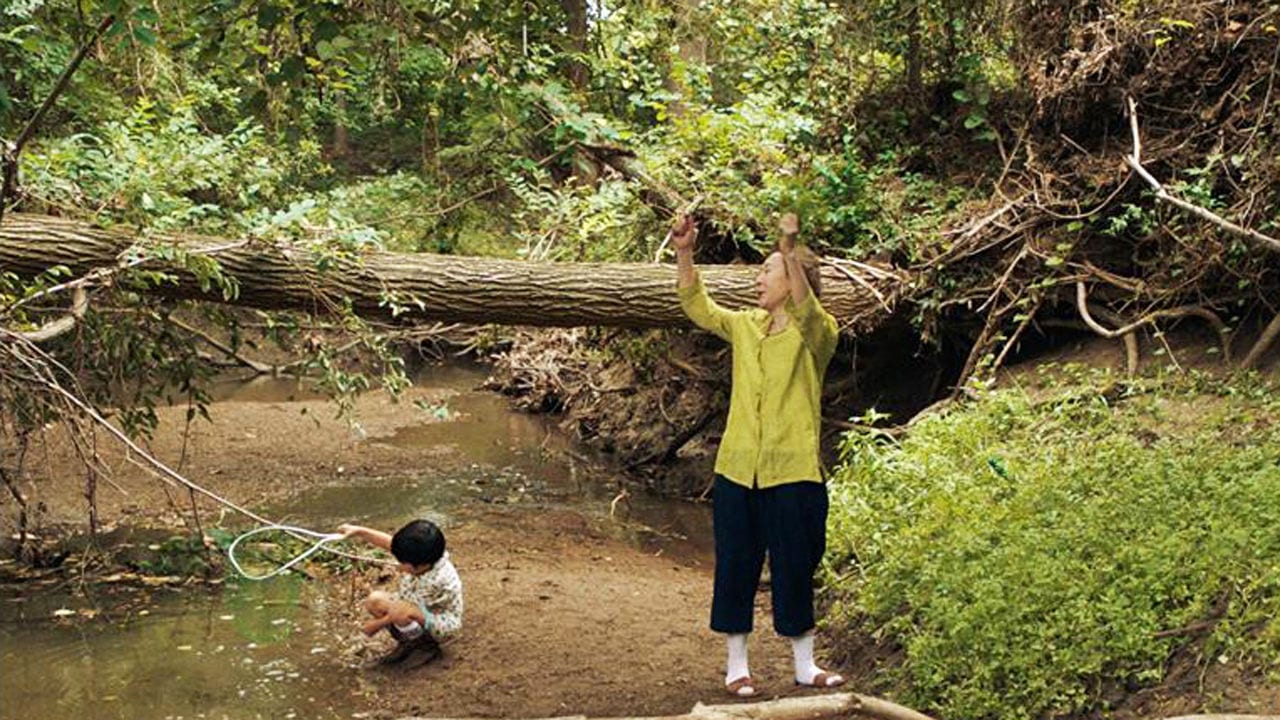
770 493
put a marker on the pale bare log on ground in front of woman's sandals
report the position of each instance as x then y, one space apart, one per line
836 705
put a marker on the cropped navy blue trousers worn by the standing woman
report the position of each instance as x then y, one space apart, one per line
789 522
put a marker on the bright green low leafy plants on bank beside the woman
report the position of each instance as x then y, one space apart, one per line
1026 553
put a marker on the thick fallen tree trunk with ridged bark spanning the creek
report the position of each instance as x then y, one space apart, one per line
418 289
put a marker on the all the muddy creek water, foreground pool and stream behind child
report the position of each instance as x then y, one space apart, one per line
259 649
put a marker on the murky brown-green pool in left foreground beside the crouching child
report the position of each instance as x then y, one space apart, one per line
250 651
